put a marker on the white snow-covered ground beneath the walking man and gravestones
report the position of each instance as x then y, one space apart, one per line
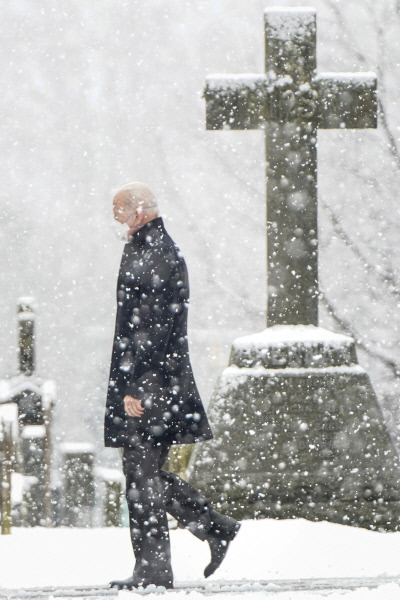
263 550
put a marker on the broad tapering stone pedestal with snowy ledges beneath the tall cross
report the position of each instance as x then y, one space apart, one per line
298 433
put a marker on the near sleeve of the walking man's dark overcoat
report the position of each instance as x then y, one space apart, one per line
161 296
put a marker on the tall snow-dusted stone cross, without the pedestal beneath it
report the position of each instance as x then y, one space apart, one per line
291 102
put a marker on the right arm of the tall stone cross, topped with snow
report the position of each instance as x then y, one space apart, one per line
346 100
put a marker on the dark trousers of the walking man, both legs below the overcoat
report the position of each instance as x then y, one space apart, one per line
150 494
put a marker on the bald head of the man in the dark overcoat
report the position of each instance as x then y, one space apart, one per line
135 198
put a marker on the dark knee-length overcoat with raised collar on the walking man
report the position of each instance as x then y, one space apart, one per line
150 355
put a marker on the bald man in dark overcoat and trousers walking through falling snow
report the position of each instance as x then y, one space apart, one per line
152 400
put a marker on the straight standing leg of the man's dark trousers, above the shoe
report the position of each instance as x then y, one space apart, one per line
147 513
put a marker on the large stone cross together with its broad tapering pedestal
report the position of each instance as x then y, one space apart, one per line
298 428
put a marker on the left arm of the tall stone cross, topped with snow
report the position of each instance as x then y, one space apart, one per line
236 101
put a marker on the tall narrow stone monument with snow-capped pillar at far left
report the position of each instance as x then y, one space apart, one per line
34 396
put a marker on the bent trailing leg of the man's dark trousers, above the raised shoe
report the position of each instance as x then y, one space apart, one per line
191 508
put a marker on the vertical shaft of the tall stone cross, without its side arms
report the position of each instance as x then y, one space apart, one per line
291 162
